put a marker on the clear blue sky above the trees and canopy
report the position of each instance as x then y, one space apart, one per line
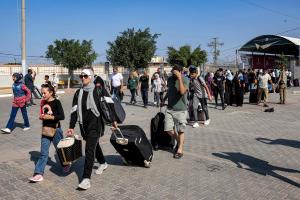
180 22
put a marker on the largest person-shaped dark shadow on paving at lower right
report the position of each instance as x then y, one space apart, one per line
257 165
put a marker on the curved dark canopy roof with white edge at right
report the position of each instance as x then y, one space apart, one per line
273 44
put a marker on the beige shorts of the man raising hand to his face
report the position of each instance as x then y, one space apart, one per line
175 118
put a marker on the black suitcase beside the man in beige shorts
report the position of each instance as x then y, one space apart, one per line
159 138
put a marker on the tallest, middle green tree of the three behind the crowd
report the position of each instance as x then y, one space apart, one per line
132 49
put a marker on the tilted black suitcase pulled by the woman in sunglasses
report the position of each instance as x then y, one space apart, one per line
131 143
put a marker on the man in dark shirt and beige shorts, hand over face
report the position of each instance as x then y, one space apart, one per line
176 113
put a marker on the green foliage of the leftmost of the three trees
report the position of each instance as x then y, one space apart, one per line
71 53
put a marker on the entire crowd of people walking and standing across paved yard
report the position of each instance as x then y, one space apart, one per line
186 92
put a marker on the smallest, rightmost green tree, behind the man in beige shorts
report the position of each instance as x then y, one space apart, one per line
185 57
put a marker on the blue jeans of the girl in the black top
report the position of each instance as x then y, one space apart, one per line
45 145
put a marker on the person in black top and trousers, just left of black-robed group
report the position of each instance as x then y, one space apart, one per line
219 87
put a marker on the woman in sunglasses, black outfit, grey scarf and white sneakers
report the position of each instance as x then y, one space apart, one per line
86 110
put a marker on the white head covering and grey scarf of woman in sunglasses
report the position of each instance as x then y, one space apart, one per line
90 104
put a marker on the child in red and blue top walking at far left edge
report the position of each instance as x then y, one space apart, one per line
22 96
